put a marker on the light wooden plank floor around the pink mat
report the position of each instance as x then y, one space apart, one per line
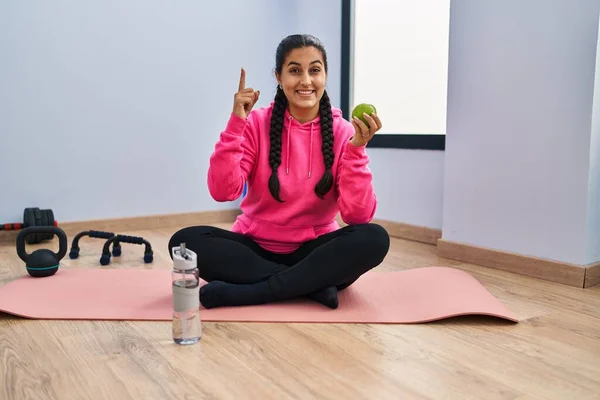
554 353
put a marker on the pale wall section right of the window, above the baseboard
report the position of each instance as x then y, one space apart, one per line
521 85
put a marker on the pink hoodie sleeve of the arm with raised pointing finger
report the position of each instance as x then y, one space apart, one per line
233 159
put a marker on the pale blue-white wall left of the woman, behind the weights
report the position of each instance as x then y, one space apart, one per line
112 108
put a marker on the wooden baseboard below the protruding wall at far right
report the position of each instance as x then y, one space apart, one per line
555 271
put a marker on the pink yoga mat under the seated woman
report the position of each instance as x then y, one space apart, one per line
411 296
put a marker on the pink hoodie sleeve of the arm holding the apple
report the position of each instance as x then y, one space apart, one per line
357 202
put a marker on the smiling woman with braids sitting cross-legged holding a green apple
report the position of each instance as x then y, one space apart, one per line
303 164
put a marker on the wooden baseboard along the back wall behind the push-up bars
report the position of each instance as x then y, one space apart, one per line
128 224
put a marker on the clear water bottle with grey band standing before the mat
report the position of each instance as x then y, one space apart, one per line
187 326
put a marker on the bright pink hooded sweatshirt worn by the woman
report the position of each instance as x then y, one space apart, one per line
242 155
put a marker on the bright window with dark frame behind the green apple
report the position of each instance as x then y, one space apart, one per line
395 56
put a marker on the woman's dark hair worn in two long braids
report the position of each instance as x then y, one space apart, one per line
280 104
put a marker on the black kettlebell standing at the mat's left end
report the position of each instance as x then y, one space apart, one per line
42 262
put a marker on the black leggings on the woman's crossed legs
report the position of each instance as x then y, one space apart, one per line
335 259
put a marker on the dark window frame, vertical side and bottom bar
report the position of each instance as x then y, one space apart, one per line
388 141
